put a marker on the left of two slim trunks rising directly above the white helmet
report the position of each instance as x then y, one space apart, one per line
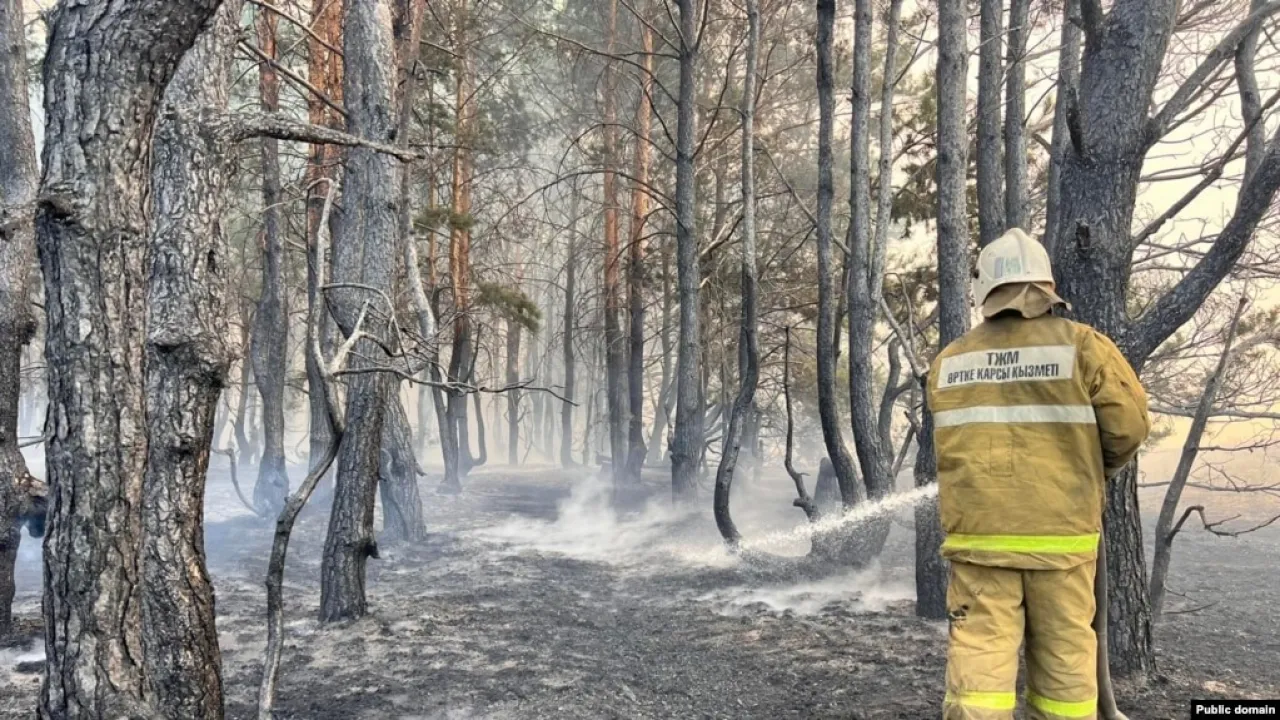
991 72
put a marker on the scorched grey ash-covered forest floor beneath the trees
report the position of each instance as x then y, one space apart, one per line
532 600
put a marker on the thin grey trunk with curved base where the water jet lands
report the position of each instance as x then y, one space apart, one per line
751 373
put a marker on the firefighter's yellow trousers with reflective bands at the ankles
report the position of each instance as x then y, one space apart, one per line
991 612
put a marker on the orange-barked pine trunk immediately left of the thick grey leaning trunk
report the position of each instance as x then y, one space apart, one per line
324 71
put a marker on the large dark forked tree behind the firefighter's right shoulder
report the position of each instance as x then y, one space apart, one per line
1112 130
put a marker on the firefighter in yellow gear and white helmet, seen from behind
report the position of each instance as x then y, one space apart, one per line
1032 416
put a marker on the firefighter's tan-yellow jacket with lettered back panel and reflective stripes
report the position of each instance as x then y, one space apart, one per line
1031 417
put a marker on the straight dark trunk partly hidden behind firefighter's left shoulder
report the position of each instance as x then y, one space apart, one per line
931 578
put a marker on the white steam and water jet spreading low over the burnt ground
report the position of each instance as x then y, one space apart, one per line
657 539
